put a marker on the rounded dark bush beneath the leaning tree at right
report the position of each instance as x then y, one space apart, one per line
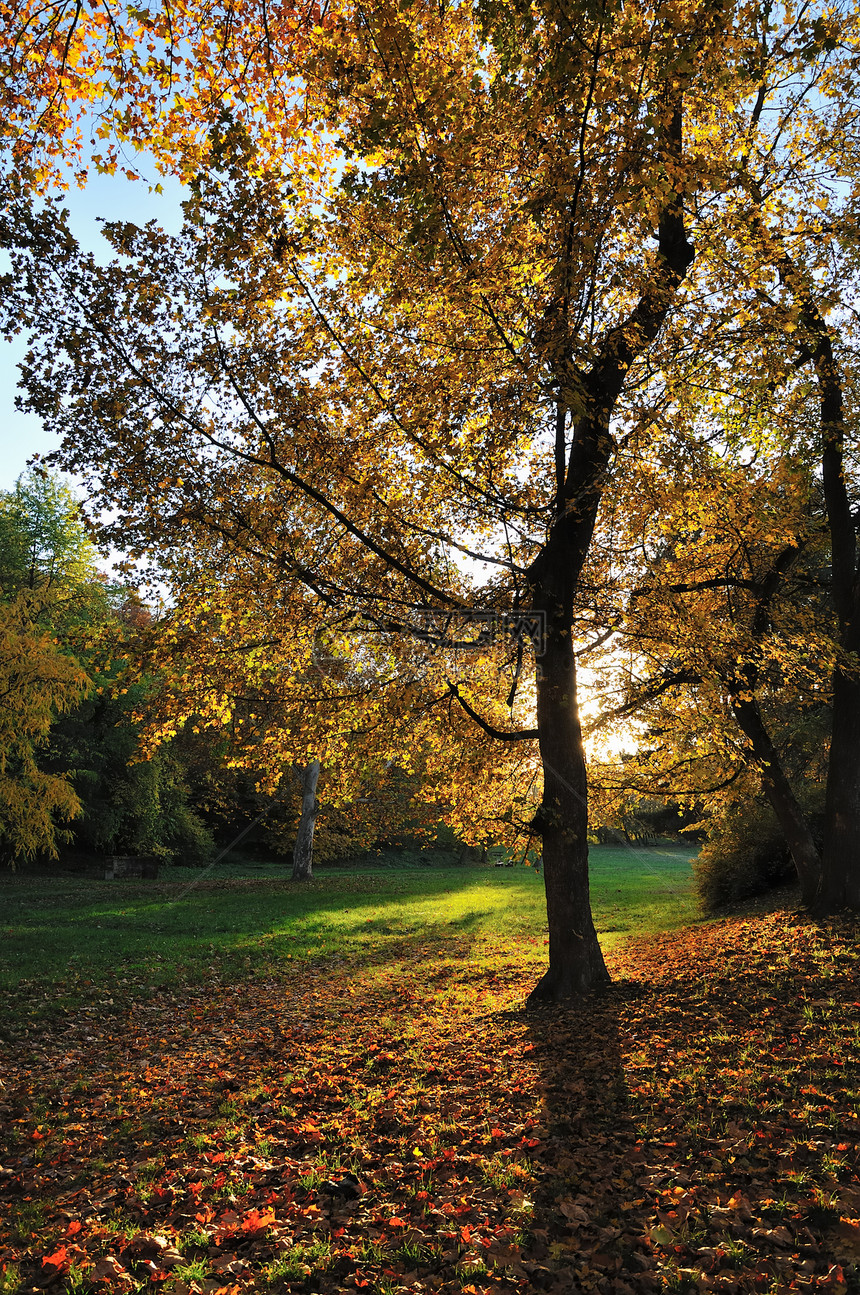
745 855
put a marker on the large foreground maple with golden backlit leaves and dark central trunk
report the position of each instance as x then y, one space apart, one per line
396 366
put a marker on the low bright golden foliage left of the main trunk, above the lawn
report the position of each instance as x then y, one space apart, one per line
252 674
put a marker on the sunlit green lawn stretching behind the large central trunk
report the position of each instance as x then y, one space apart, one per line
65 938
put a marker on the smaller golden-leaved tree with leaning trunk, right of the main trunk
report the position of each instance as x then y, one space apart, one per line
727 634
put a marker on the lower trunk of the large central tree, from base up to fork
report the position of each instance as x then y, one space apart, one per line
576 960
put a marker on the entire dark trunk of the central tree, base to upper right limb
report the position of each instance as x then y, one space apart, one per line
576 960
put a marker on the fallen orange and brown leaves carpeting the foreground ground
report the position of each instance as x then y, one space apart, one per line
402 1125
